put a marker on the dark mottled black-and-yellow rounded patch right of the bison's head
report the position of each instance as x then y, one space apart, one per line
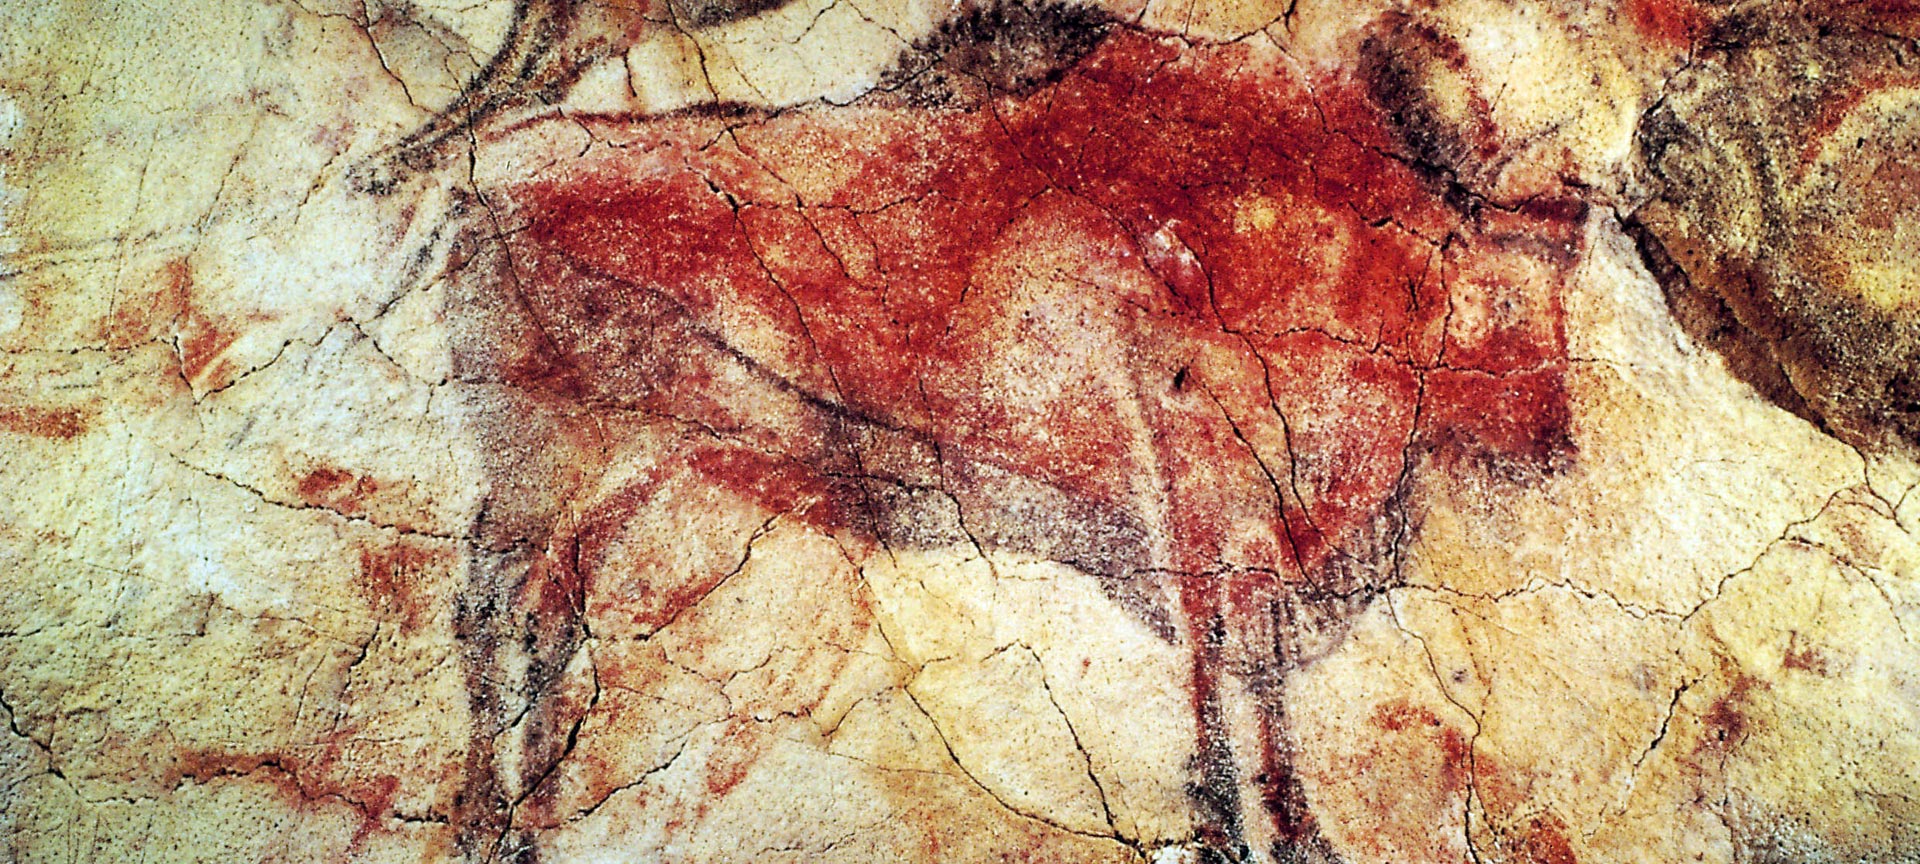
1785 208
